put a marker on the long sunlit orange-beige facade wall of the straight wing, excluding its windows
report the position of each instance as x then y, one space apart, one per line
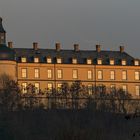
67 69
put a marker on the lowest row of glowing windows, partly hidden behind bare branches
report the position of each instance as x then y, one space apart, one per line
90 88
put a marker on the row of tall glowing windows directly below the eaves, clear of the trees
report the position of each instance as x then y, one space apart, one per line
75 74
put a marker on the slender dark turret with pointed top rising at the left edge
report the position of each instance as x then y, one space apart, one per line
2 33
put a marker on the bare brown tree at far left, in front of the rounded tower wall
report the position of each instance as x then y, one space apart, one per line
9 93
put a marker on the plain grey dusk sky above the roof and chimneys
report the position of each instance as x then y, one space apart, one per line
110 23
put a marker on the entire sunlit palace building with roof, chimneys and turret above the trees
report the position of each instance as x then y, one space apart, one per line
48 68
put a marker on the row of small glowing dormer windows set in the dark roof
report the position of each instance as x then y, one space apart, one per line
75 61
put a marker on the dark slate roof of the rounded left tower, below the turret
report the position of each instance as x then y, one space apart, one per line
6 53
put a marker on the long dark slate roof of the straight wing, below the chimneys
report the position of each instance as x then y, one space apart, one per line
67 55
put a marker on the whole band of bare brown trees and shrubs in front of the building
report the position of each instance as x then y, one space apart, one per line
74 96
